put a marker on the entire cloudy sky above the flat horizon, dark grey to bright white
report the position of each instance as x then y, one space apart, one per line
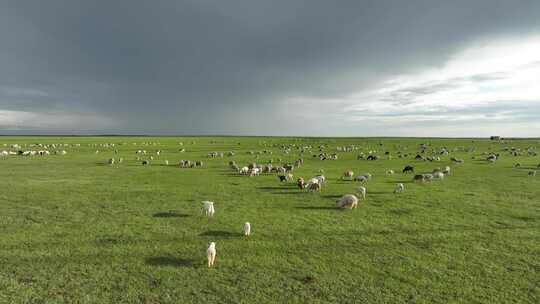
460 68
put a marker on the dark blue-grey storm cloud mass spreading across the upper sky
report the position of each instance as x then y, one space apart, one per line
223 66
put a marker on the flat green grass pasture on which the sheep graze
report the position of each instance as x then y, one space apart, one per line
74 230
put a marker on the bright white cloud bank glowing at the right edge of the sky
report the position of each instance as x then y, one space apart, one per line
483 74
